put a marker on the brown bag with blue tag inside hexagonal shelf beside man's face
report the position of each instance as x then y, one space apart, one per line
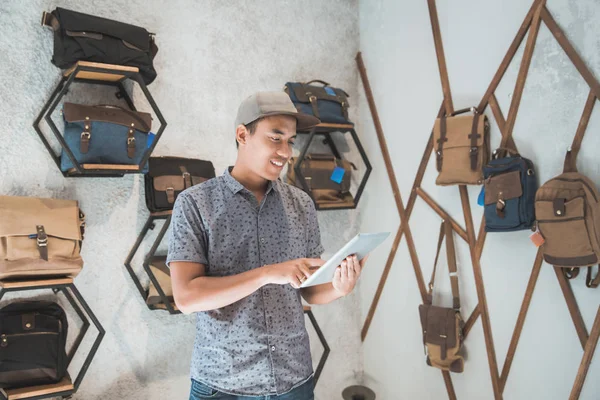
317 170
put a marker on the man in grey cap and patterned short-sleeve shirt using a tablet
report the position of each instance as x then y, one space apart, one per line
241 245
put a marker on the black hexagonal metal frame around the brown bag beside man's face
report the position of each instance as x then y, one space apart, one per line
326 131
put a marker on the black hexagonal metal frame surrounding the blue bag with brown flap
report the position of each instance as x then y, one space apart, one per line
59 92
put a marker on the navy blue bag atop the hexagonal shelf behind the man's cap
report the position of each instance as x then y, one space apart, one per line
327 103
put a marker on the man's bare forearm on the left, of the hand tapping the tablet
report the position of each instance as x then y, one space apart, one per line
210 293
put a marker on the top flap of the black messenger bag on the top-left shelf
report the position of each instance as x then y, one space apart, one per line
79 22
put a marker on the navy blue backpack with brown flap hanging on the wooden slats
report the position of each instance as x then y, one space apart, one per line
510 185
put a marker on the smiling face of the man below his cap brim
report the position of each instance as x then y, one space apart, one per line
270 147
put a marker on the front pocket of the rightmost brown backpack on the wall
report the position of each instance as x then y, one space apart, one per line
567 241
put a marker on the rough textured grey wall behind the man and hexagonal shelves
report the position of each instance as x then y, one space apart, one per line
212 55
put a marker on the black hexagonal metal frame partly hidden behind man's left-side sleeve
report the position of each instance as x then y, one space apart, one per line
144 292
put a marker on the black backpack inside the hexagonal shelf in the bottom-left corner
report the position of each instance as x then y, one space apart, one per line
33 336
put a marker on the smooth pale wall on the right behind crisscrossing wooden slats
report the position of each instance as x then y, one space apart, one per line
399 53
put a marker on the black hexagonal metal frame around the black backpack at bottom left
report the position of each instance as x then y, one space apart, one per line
64 288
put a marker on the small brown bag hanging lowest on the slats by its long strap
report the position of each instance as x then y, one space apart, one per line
443 327
